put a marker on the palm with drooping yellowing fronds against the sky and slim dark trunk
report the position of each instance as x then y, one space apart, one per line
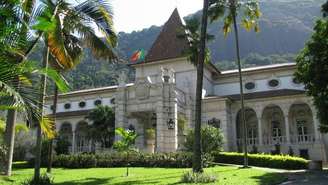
79 19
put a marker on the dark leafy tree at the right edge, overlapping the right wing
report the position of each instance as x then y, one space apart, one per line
312 69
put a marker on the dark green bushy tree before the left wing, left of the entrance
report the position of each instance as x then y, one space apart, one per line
102 129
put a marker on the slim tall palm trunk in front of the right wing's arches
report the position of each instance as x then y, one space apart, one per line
241 89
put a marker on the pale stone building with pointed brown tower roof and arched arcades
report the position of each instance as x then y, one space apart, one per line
279 115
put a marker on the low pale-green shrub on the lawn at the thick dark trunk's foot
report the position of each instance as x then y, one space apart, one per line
191 177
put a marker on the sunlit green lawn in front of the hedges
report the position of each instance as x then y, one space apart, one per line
227 175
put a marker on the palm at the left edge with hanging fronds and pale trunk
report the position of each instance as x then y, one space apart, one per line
16 83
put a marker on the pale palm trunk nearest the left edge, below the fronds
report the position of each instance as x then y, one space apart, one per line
10 139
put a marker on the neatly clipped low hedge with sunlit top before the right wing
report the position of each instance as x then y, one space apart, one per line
262 160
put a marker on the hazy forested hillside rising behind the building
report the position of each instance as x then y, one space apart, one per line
285 27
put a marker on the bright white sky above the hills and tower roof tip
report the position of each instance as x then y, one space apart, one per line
134 15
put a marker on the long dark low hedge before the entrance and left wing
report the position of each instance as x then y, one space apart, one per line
163 160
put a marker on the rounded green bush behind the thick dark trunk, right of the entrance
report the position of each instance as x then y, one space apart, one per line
211 139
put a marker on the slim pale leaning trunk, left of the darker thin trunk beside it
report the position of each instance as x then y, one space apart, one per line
43 86
